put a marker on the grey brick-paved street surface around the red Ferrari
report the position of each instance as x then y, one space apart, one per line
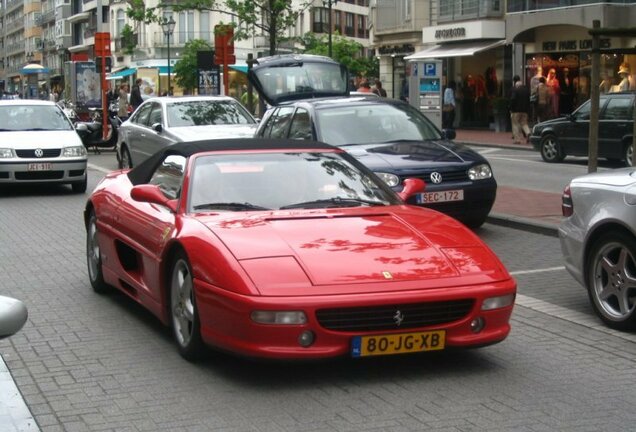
85 362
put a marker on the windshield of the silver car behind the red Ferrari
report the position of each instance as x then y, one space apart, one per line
209 112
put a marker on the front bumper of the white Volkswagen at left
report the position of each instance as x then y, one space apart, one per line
44 171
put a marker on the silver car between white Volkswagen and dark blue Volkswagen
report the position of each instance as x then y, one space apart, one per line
161 121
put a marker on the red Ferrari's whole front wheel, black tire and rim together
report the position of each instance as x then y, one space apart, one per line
184 317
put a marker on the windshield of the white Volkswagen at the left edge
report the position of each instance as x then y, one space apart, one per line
33 118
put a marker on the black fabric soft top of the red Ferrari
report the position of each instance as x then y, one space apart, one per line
143 172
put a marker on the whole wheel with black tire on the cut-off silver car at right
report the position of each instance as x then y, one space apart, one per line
611 279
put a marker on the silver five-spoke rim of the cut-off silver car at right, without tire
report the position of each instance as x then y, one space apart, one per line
613 277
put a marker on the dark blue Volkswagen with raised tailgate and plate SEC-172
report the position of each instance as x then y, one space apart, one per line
310 100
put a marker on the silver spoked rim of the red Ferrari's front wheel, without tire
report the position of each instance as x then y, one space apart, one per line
182 302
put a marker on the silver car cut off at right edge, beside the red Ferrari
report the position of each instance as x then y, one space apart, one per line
598 239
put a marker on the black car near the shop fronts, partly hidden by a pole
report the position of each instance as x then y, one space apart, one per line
569 135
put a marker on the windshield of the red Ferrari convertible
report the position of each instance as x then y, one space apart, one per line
268 181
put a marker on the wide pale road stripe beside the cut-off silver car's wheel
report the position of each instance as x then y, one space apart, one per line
576 317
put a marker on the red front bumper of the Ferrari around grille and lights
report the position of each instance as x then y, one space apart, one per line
226 324
